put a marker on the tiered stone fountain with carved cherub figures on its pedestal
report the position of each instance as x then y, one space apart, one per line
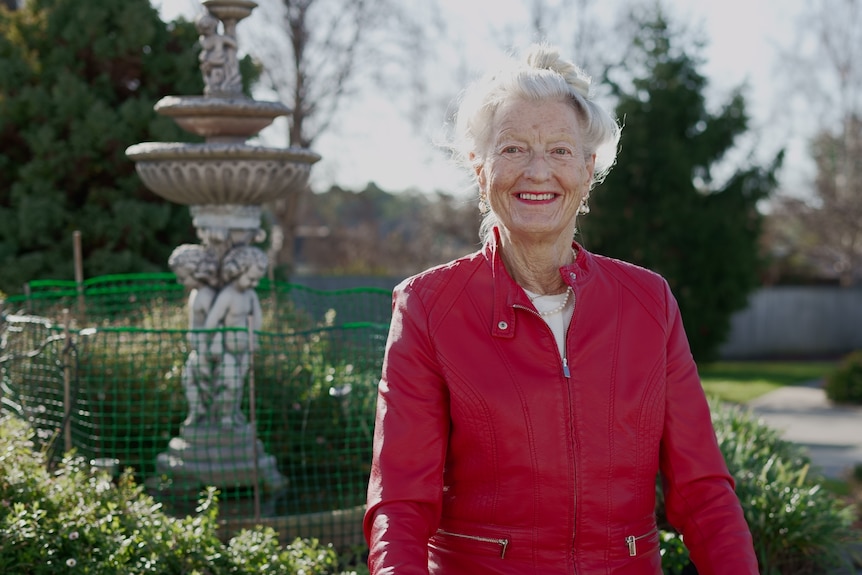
225 181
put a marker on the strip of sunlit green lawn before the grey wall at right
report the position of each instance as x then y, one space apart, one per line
742 381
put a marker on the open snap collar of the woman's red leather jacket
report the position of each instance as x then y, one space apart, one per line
507 294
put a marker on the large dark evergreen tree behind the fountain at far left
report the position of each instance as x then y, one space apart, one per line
78 81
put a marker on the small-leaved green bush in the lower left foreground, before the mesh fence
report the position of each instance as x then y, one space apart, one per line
73 519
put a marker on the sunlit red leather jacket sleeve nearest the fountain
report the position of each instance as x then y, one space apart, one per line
410 437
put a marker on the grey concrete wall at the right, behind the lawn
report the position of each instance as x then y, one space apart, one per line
797 321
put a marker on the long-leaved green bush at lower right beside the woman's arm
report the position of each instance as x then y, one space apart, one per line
797 526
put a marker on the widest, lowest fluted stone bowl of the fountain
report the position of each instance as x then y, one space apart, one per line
221 173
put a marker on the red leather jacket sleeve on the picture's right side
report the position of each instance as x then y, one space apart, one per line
699 492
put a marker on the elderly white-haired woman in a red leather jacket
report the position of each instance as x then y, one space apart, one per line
532 391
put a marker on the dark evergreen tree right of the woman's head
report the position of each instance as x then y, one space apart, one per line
660 207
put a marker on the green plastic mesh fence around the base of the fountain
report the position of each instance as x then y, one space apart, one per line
102 369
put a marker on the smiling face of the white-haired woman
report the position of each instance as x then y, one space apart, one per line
536 172
